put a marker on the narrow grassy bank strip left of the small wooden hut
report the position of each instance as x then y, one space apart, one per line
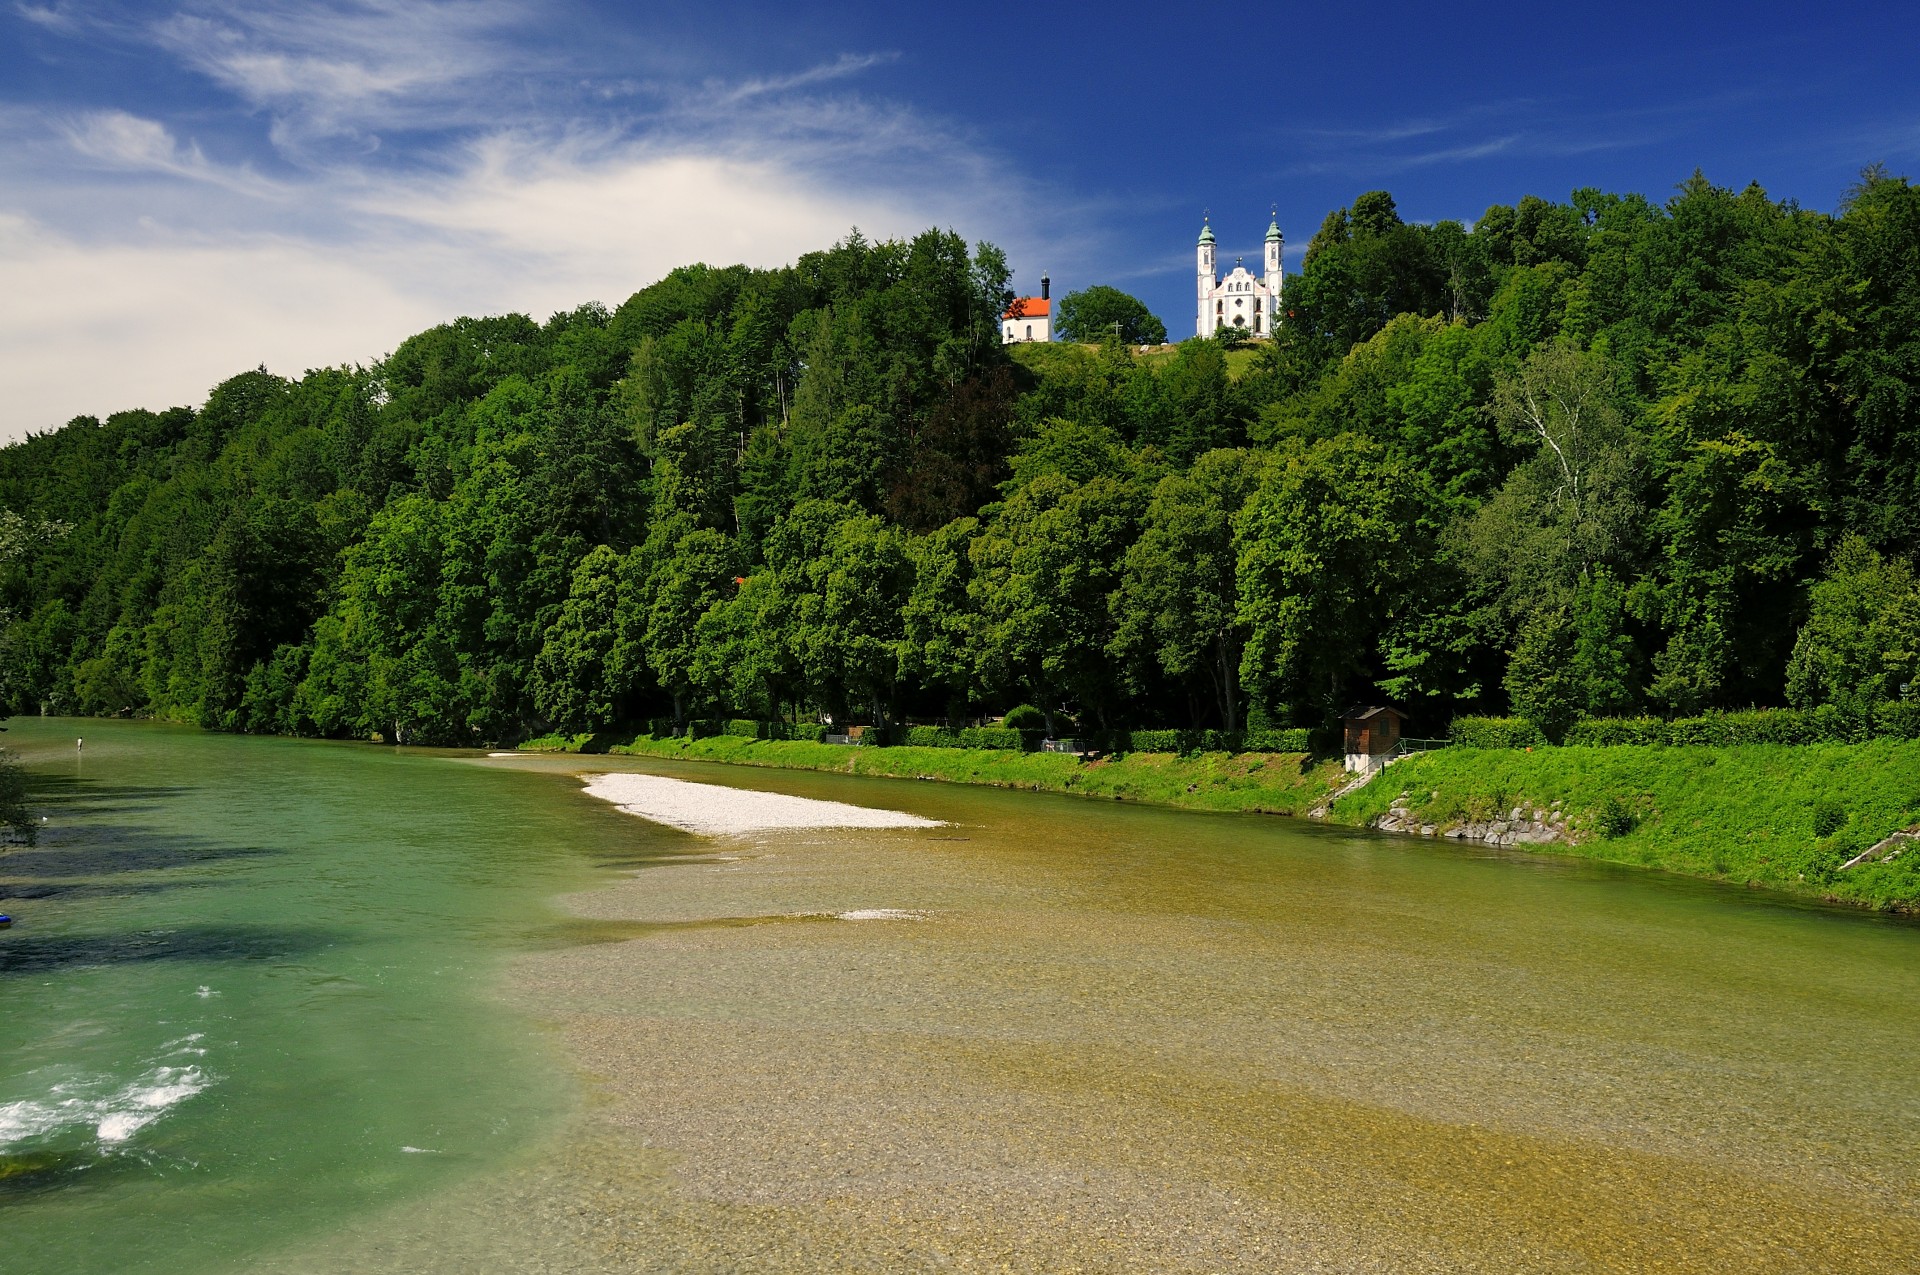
1247 782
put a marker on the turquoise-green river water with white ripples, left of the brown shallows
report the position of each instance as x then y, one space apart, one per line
251 990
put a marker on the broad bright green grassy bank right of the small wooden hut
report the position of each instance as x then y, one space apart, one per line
1729 813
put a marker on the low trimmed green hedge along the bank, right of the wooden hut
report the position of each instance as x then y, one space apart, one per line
1827 725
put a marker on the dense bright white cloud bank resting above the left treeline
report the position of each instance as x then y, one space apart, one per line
158 318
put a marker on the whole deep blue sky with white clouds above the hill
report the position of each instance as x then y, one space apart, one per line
189 189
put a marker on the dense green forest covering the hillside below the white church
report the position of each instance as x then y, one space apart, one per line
1591 458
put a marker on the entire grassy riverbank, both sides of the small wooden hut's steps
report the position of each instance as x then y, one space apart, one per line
1733 815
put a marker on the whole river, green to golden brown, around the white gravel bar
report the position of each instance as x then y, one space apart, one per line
291 1007
